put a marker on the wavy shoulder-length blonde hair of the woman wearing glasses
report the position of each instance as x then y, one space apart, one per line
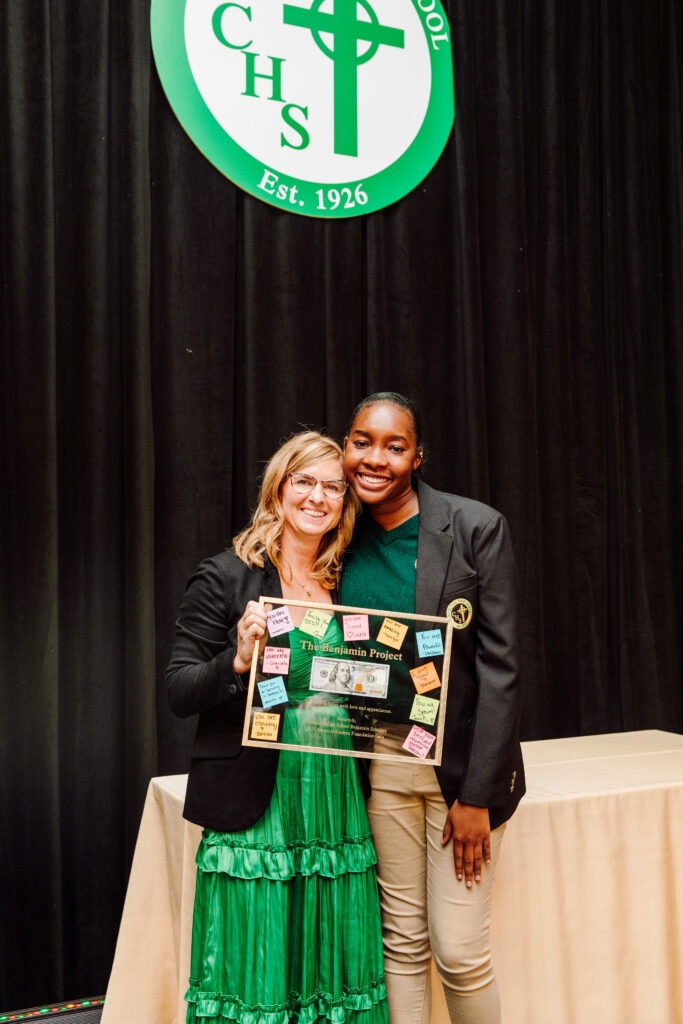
264 534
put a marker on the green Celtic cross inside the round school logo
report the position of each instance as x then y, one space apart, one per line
347 29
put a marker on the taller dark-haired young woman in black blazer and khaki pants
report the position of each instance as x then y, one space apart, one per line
439 832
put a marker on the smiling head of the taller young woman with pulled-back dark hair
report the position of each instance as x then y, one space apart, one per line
380 456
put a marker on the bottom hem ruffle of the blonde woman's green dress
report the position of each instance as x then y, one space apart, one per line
322 1006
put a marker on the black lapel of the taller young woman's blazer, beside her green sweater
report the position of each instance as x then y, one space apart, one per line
434 550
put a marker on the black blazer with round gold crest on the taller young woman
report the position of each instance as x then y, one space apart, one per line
465 563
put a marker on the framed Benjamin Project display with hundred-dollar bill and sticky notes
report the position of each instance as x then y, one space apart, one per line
357 682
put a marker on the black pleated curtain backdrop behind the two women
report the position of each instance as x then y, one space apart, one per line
162 332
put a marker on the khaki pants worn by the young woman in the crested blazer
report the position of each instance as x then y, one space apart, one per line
425 910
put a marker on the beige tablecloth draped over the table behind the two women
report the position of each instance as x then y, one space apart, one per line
588 905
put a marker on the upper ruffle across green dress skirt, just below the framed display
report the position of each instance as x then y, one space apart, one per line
279 863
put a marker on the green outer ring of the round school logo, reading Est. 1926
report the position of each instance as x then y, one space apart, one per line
383 189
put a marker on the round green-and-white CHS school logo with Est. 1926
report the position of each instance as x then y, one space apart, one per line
330 108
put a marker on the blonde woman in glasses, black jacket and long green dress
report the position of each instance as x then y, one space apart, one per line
287 922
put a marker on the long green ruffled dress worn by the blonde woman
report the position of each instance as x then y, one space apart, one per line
287 919
